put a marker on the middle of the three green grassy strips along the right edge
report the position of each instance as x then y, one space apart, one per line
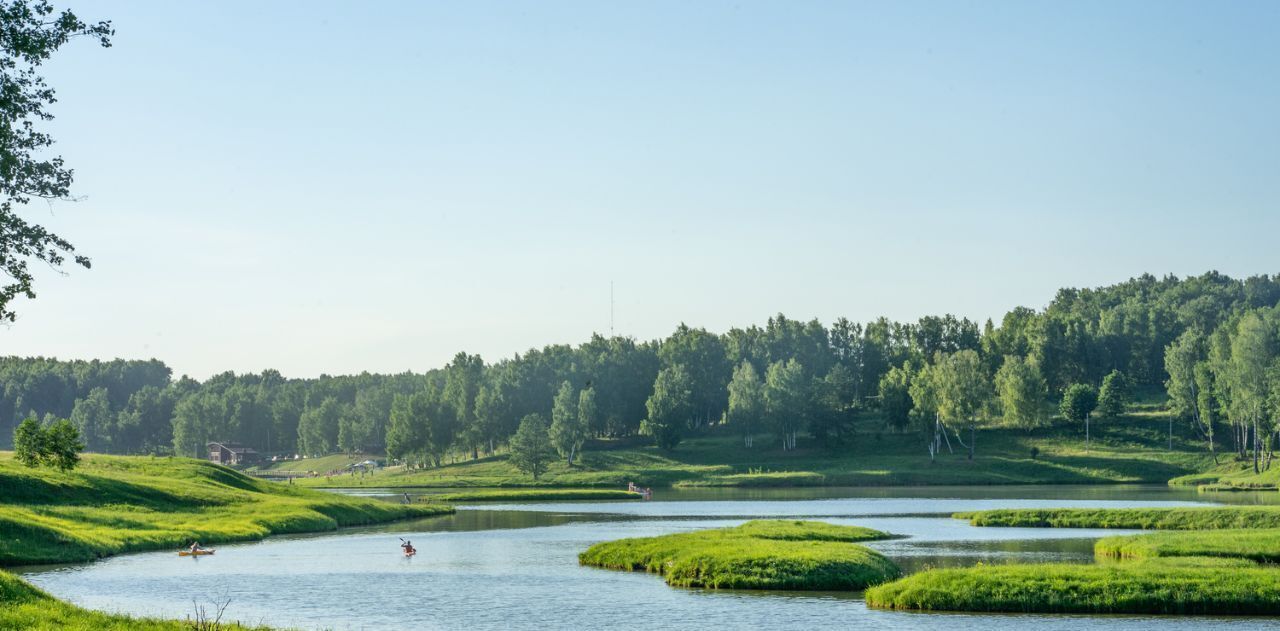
1259 546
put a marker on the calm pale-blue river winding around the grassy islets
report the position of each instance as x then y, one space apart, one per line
515 566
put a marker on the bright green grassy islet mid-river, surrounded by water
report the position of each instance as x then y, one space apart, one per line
758 555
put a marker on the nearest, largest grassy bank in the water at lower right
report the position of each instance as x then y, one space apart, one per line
1190 587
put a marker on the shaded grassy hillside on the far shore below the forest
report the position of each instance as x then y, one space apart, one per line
1133 450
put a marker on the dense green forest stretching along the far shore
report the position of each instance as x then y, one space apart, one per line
1213 342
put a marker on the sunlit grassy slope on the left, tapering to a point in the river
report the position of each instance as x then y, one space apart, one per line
115 505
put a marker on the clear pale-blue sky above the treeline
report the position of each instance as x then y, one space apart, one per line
335 188
